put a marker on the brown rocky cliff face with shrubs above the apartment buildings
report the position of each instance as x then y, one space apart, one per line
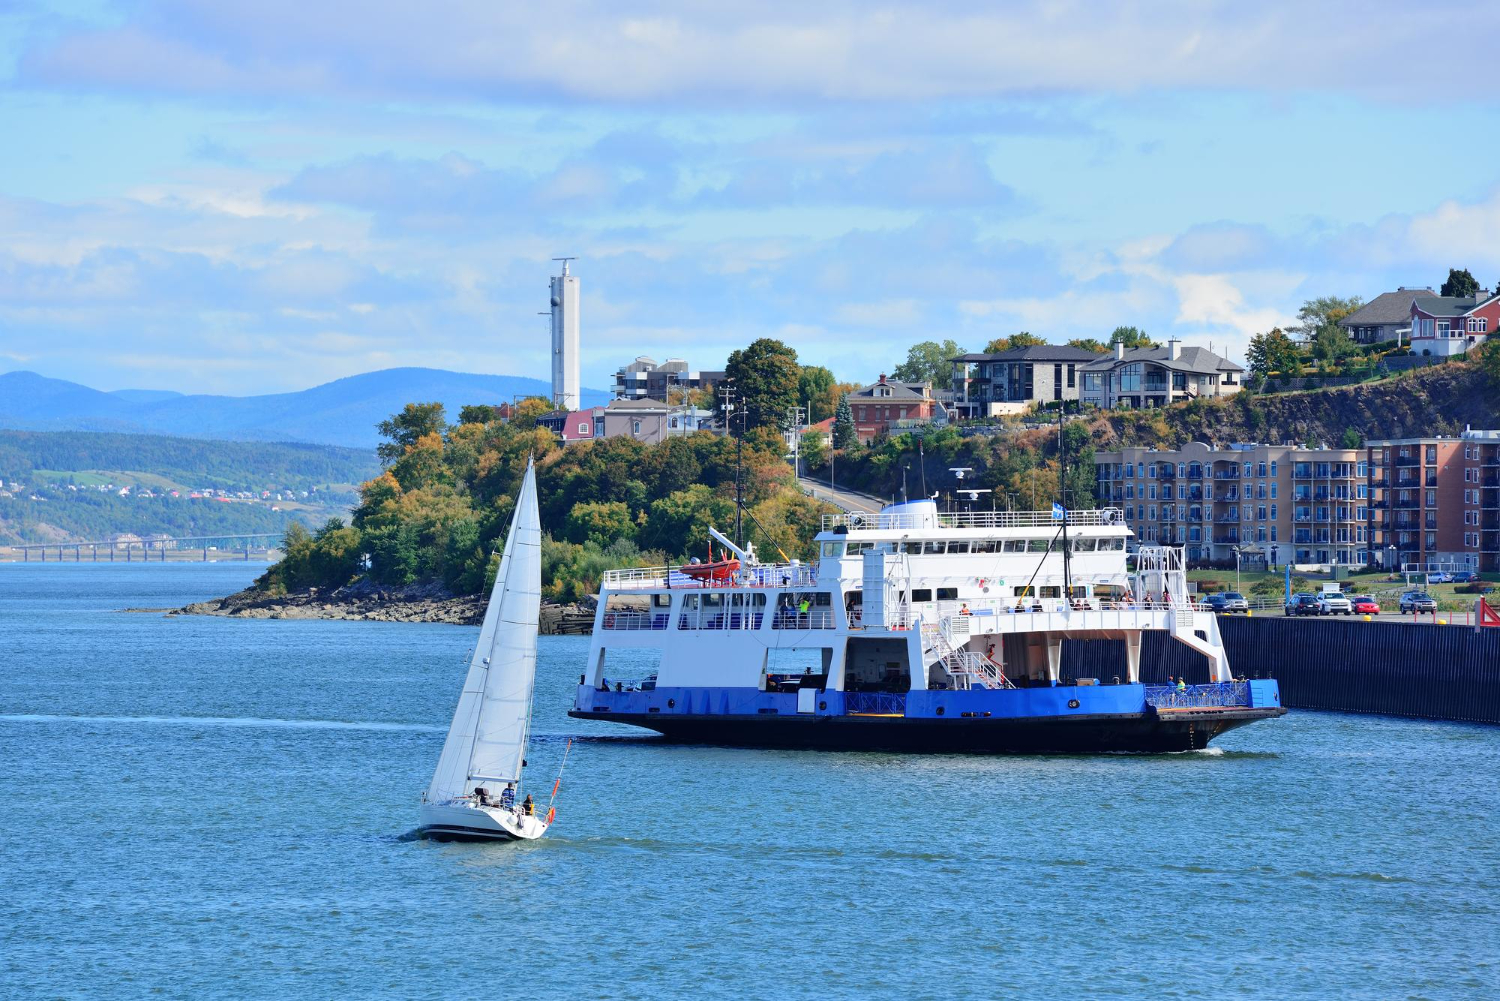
1442 400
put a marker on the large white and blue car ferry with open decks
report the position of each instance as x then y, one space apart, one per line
917 630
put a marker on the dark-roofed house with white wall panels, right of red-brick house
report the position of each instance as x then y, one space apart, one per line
1010 382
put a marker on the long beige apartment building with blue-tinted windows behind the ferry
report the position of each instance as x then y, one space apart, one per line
1271 504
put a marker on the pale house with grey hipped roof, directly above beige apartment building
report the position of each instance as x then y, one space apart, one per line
1156 377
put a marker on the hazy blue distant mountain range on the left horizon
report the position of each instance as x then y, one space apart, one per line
344 412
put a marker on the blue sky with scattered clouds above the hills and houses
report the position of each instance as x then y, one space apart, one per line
244 199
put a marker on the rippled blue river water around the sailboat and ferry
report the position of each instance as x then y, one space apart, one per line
208 807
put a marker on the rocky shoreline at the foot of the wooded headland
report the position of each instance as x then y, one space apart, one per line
374 603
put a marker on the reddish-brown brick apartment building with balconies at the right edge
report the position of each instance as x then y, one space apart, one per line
1436 500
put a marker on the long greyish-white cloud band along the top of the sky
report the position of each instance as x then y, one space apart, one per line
733 53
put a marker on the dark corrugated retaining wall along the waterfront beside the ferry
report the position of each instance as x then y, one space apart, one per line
1334 664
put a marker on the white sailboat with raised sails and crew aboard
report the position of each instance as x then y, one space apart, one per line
476 790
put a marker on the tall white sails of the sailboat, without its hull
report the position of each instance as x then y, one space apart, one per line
488 738
